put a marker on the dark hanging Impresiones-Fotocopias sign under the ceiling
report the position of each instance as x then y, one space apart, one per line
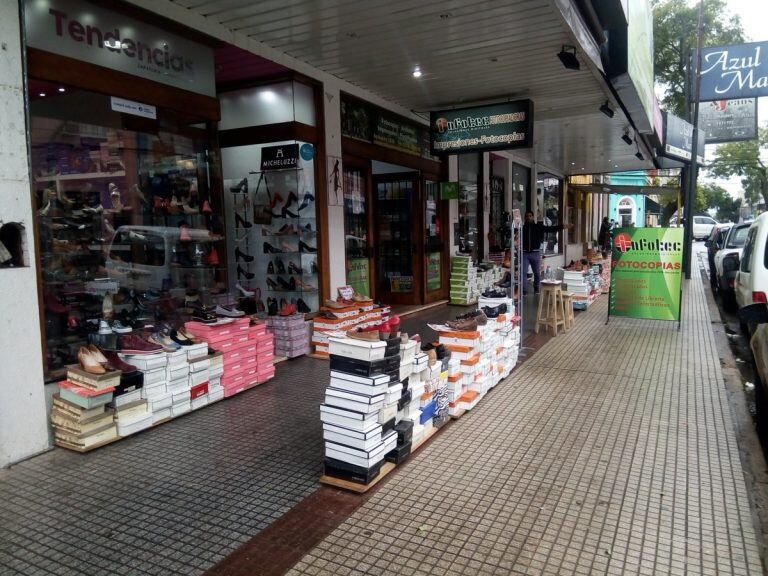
493 127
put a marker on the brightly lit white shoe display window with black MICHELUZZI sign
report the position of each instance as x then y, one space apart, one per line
273 251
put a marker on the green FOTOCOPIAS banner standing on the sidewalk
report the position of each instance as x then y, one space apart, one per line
646 272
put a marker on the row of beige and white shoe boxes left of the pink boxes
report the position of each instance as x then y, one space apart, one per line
91 411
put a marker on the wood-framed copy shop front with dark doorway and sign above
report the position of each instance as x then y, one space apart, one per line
395 222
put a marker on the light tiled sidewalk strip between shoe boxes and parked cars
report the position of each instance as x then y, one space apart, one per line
611 451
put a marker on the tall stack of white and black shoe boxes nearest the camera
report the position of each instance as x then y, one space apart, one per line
364 377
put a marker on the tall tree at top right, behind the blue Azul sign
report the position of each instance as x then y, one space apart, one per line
674 37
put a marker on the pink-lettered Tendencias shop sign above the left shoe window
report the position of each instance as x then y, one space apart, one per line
90 33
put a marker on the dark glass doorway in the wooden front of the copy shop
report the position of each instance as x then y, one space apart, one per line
398 279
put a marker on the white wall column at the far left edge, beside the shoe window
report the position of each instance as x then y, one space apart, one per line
23 421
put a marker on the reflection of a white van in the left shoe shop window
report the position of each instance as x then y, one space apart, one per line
159 257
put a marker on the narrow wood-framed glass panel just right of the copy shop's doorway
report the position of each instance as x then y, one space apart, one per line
434 245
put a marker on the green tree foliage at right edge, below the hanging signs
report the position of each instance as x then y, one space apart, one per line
743 159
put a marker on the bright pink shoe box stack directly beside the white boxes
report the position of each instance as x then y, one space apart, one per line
248 352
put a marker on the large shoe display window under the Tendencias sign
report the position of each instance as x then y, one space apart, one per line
129 227
